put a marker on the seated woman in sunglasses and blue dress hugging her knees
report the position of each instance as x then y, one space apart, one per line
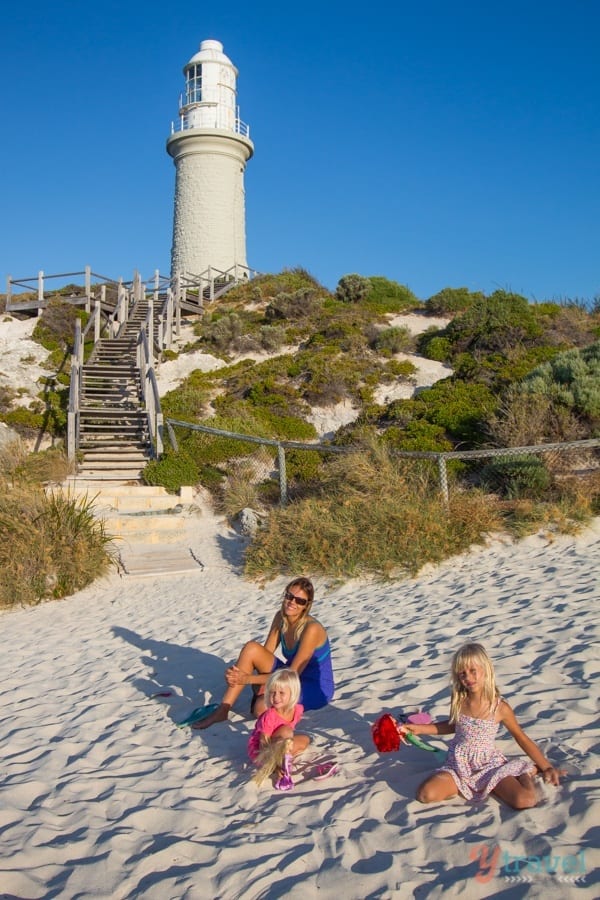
305 646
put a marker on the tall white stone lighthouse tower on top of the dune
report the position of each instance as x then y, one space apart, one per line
210 147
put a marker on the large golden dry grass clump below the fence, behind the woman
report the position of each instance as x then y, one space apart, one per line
373 516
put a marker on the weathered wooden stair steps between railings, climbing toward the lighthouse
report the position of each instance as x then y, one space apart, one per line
114 437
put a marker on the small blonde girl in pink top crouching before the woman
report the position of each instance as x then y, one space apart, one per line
273 743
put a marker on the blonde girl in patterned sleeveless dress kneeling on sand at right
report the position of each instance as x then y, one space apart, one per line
474 767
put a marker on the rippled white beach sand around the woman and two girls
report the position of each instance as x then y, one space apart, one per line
102 796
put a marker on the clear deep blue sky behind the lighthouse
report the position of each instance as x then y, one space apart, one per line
436 143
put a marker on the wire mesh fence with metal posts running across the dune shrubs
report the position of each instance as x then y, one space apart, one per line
506 468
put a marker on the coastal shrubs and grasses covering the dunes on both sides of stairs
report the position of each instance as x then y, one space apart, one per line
520 374
